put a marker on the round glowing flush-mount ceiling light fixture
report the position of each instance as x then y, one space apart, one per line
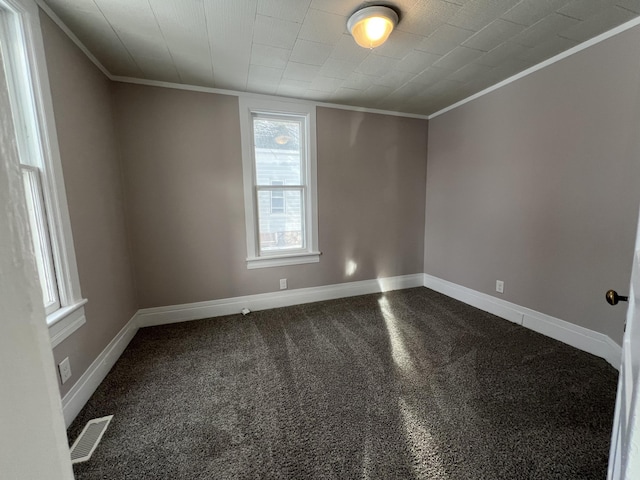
371 26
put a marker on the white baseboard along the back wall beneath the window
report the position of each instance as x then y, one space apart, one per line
194 311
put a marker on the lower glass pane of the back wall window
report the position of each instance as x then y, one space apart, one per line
280 231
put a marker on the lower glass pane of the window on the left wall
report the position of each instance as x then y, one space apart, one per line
40 238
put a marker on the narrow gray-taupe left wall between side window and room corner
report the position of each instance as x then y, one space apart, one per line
93 180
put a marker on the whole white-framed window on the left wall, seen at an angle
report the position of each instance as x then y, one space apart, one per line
27 86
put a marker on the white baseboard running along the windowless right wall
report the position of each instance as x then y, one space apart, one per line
579 337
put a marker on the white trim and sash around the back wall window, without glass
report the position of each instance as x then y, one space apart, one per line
311 254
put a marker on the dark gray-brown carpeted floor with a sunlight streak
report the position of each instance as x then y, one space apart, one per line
403 385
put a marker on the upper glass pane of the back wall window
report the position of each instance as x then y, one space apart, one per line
277 151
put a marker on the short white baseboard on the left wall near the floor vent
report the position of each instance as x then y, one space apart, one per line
80 393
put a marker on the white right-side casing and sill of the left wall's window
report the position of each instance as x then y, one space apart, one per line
64 321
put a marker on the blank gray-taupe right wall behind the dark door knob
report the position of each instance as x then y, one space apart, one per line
537 183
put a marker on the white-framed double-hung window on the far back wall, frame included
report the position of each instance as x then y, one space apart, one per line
279 164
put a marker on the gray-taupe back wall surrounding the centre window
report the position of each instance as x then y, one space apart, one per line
183 171
